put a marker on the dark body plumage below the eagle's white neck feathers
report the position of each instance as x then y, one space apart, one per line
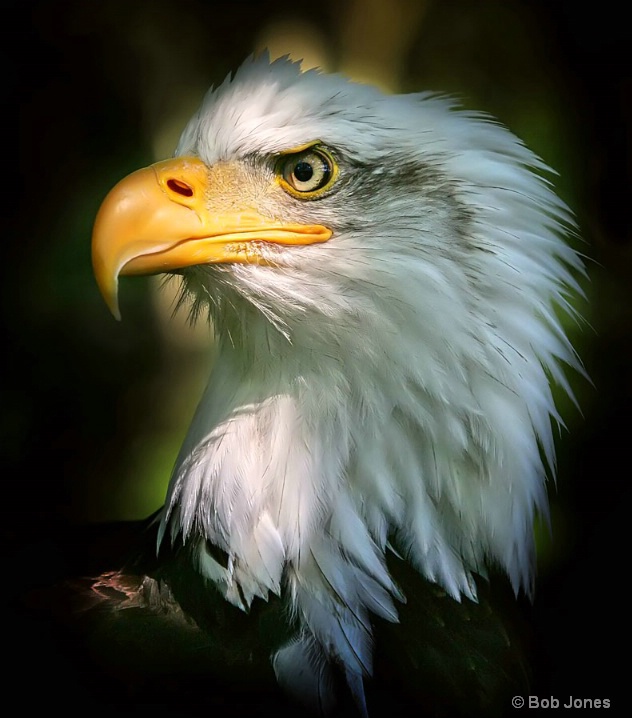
134 632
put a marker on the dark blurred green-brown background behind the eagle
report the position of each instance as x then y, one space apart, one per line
94 411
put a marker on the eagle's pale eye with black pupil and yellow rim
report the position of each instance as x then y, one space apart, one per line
306 173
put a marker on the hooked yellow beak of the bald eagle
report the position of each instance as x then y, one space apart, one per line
158 219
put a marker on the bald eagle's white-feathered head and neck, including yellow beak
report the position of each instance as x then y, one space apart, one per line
383 276
